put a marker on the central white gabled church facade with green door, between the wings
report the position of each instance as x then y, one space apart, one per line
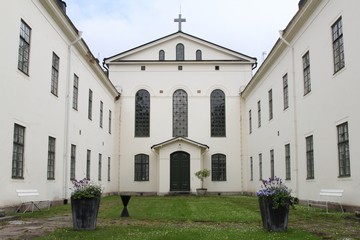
180 99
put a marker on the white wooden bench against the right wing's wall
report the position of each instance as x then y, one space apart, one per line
328 196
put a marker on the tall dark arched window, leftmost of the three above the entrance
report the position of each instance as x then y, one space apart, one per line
142 114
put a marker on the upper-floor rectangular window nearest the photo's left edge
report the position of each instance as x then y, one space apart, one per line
24 48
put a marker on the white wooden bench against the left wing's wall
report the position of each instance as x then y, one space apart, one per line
30 200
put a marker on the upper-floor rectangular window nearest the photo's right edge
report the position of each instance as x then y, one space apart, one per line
338 45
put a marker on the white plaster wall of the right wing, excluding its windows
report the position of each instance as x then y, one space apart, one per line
332 101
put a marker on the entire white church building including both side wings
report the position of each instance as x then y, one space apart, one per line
152 116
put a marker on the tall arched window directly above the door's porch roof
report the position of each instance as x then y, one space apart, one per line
180 114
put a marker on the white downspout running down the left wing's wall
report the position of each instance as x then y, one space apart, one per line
67 120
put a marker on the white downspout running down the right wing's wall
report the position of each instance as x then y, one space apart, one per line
295 111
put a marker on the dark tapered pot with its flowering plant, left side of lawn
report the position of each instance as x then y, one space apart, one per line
85 202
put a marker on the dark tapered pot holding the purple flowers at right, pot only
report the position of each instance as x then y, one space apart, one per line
273 219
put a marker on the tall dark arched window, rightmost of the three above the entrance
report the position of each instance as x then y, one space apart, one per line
218 126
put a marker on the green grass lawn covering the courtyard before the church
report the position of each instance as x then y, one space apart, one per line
212 217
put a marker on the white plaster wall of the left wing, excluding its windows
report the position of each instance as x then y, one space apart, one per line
27 100
